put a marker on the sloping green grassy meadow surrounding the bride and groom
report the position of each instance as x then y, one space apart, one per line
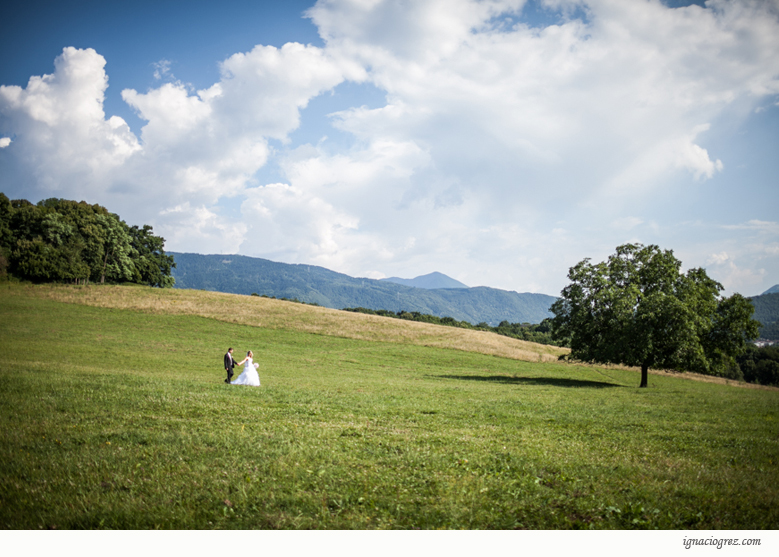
118 417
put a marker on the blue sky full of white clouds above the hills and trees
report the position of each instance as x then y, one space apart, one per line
499 141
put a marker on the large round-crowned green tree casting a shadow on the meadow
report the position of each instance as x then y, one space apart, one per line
638 309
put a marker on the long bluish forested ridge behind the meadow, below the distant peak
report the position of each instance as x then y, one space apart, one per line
307 283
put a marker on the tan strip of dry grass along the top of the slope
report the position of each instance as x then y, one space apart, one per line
278 314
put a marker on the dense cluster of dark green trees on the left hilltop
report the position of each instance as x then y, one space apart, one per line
57 240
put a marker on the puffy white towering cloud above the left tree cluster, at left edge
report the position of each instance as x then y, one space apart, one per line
62 134
